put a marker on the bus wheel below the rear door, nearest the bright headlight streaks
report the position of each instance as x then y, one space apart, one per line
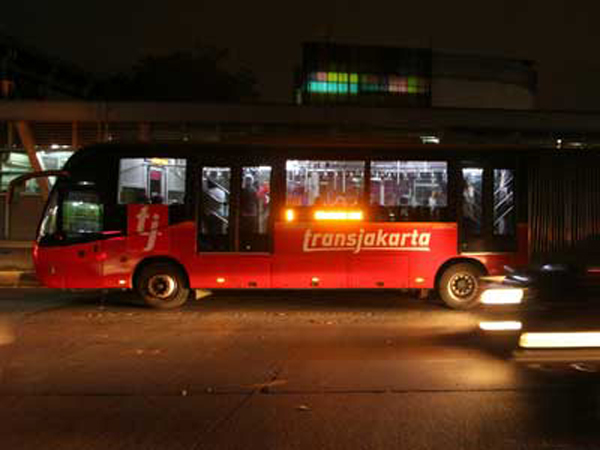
460 287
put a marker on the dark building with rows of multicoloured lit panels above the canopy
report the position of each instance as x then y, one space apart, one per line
415 77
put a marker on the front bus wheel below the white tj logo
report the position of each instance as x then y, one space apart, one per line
162 286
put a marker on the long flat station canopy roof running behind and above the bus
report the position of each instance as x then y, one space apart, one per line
77 123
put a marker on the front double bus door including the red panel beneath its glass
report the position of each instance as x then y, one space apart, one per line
234 226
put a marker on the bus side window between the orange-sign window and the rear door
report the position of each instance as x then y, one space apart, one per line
407 191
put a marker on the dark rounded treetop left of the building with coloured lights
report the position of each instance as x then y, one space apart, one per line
196 75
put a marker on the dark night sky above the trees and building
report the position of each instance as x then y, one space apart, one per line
265 36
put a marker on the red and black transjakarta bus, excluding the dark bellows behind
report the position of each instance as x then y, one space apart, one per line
167 219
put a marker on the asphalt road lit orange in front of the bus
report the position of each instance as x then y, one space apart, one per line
287 370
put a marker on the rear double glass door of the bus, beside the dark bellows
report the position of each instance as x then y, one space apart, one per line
487 202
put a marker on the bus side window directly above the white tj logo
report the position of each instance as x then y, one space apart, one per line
152 180
